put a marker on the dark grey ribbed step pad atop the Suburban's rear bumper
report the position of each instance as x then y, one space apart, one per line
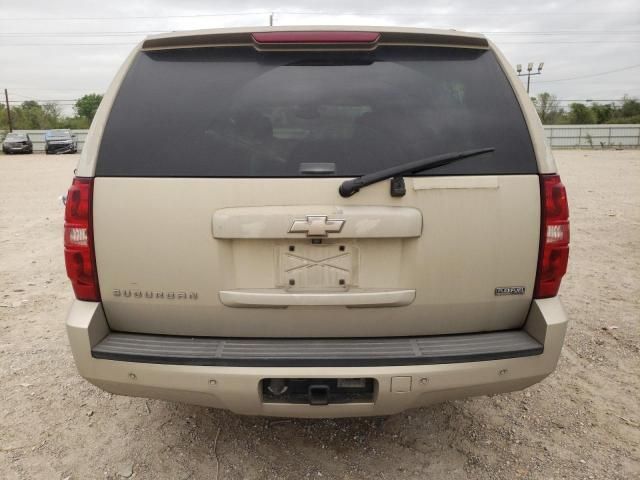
332 352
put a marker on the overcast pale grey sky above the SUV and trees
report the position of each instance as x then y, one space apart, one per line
64 49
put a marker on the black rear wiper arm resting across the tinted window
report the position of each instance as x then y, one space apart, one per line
350 187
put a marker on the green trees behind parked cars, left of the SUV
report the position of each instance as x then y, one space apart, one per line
31 115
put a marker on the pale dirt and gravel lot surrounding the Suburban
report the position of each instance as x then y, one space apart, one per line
582 422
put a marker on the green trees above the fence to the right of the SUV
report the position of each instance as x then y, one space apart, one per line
552 113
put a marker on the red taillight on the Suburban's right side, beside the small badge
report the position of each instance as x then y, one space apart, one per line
554 237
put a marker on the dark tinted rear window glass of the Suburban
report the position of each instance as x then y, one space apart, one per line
236 112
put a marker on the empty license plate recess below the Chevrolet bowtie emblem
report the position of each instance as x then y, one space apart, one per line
316 265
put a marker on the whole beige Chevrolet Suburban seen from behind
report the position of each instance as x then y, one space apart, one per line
316 222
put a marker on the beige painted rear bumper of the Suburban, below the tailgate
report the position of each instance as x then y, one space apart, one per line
219 382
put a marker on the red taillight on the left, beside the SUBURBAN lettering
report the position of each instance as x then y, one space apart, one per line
79 254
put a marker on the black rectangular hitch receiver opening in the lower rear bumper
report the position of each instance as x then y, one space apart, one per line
318 391
